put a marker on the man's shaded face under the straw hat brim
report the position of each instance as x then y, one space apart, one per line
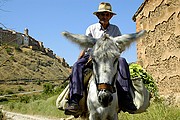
104 17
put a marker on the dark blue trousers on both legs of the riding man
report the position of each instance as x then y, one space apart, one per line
76 79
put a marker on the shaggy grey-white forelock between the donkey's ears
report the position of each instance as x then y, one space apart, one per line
105 48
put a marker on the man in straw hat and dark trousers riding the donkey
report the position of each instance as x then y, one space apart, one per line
104 14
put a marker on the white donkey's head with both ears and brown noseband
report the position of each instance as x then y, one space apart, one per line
105 54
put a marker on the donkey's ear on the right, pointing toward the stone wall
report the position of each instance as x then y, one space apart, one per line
125 40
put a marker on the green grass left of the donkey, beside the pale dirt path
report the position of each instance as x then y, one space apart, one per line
38 107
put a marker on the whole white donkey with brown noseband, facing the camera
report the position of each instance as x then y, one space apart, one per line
102 98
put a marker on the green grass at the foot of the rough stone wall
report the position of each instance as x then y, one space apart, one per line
156 111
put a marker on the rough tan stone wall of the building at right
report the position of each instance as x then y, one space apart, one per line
159 51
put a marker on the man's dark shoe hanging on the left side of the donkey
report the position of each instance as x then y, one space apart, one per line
73 109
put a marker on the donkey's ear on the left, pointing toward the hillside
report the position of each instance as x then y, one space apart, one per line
81 40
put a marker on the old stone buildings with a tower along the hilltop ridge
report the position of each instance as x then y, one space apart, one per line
12 37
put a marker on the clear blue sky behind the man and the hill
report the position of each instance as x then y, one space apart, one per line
46 19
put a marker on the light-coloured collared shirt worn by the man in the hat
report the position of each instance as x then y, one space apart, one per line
97 31
